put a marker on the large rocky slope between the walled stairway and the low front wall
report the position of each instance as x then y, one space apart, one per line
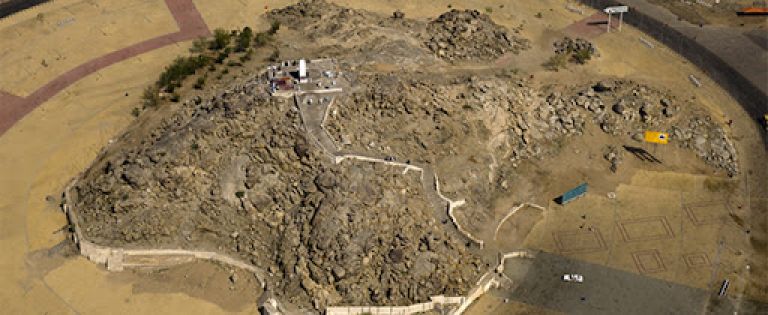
236 174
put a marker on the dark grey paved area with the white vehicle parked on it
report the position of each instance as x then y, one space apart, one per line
607 291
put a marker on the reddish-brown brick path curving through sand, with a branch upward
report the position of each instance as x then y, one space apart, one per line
191 25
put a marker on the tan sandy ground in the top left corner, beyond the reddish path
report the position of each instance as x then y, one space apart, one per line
30 58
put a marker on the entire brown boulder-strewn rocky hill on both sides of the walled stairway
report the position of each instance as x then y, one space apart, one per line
238 173
